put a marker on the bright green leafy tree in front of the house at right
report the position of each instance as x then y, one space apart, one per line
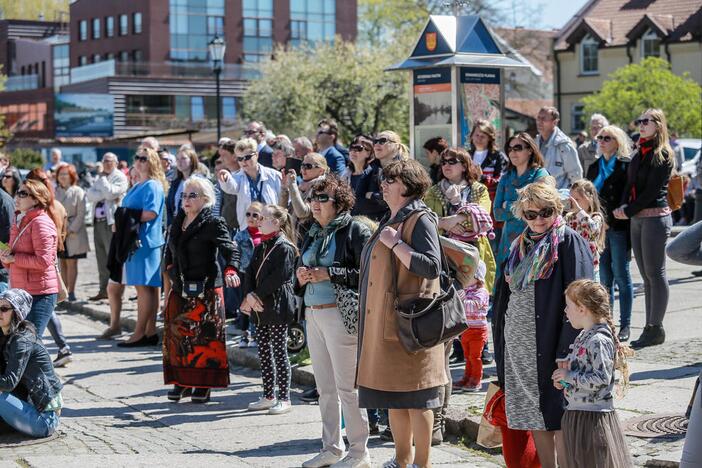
650 84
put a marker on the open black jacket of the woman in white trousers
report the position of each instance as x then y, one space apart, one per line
349 242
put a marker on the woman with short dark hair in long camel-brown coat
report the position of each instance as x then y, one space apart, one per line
410 385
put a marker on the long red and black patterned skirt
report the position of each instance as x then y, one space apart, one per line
194 345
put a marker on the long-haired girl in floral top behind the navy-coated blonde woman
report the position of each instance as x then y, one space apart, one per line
585 217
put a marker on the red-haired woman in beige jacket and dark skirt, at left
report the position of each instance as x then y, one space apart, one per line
72 197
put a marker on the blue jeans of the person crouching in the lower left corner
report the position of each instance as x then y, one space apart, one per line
25 418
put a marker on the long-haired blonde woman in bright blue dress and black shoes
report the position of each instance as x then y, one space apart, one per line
143 268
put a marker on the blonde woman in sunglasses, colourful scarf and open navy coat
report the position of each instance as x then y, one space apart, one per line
530 328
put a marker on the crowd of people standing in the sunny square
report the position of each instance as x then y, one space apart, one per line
273 231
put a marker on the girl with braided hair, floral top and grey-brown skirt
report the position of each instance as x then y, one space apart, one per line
592 433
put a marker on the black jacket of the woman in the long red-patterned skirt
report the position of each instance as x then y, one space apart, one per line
193 253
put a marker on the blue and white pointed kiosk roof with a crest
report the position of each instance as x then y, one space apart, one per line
462 40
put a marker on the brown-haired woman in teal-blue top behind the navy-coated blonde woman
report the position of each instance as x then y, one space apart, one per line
526 165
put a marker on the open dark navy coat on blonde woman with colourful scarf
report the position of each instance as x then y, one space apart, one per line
554 334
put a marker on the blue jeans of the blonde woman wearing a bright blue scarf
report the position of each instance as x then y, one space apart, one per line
615 263
